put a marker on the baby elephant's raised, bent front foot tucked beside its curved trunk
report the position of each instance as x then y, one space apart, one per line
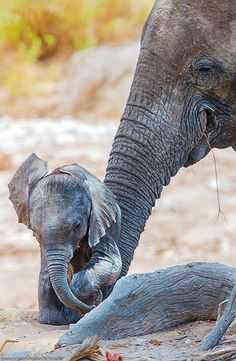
84 286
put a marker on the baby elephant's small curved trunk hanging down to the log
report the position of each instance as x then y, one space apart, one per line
57 262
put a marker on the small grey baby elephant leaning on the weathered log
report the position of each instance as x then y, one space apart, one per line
76 221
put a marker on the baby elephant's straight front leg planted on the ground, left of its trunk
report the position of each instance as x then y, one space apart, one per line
51 310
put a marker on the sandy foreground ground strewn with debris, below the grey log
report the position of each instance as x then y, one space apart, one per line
29 339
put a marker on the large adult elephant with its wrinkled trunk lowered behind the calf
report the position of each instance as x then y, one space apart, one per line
181 104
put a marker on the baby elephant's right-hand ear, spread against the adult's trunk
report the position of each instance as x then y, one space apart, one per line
104 206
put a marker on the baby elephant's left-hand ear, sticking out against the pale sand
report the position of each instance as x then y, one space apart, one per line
25 177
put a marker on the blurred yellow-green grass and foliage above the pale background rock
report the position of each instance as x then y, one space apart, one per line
36 37
